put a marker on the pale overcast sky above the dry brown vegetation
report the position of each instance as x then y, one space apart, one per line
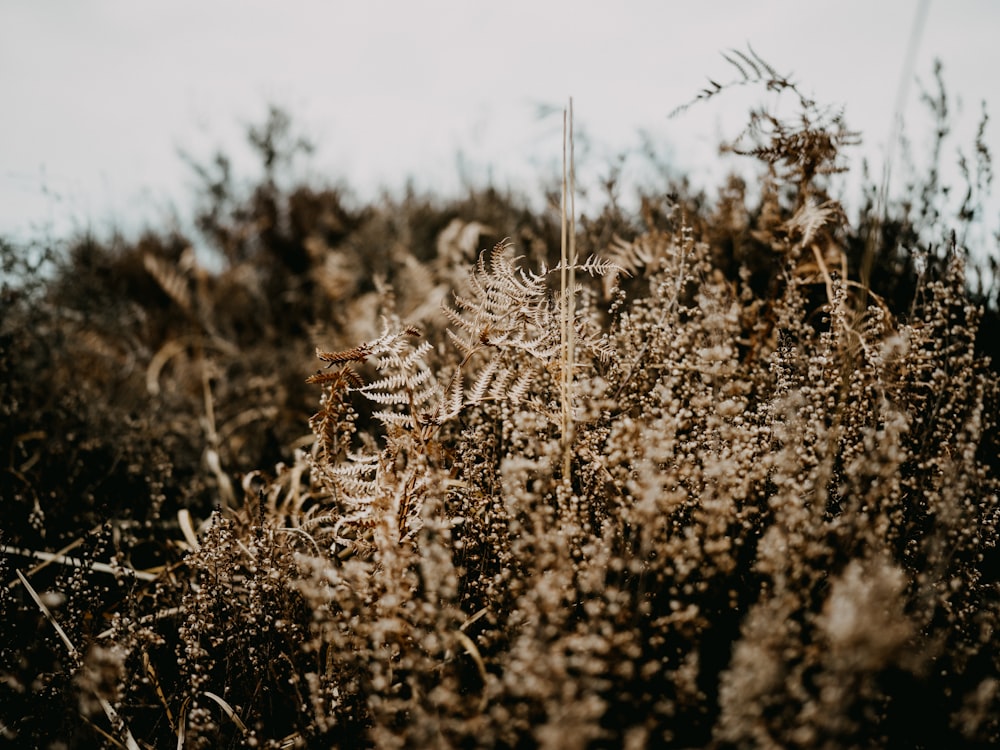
97 97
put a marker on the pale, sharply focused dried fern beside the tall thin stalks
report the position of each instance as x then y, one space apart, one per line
508 315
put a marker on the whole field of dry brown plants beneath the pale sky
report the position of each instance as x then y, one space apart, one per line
457 473
